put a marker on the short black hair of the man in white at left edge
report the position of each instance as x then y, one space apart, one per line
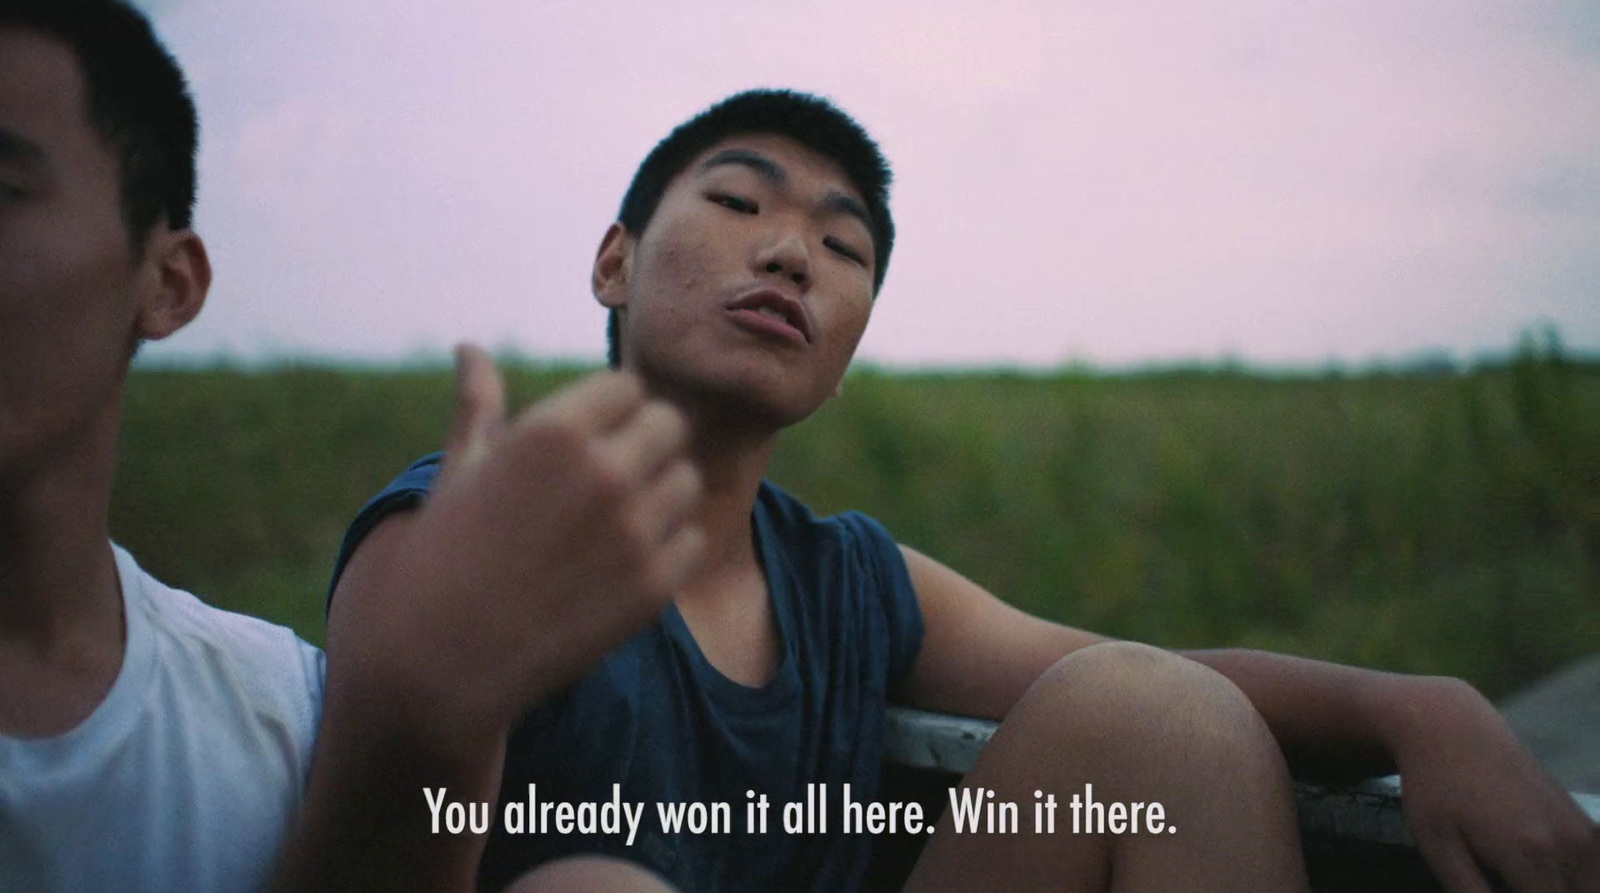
137 100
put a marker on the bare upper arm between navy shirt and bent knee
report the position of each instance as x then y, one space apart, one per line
978 654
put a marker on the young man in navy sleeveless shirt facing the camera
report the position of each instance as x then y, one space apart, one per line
740 278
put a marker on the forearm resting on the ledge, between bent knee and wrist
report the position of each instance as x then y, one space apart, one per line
1334 723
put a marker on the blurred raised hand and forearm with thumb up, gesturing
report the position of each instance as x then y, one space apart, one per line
543 545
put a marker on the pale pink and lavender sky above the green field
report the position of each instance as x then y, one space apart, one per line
1103 182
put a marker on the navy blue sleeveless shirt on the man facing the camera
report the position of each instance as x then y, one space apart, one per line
657 718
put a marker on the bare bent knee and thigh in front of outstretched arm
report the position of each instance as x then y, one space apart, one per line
1140 726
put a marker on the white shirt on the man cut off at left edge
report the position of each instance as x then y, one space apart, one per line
186 777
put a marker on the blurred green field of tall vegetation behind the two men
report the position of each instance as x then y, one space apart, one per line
1422 521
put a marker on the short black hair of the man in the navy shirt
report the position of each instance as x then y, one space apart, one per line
810 121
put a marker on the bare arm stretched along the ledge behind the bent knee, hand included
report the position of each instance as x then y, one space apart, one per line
1474 795
